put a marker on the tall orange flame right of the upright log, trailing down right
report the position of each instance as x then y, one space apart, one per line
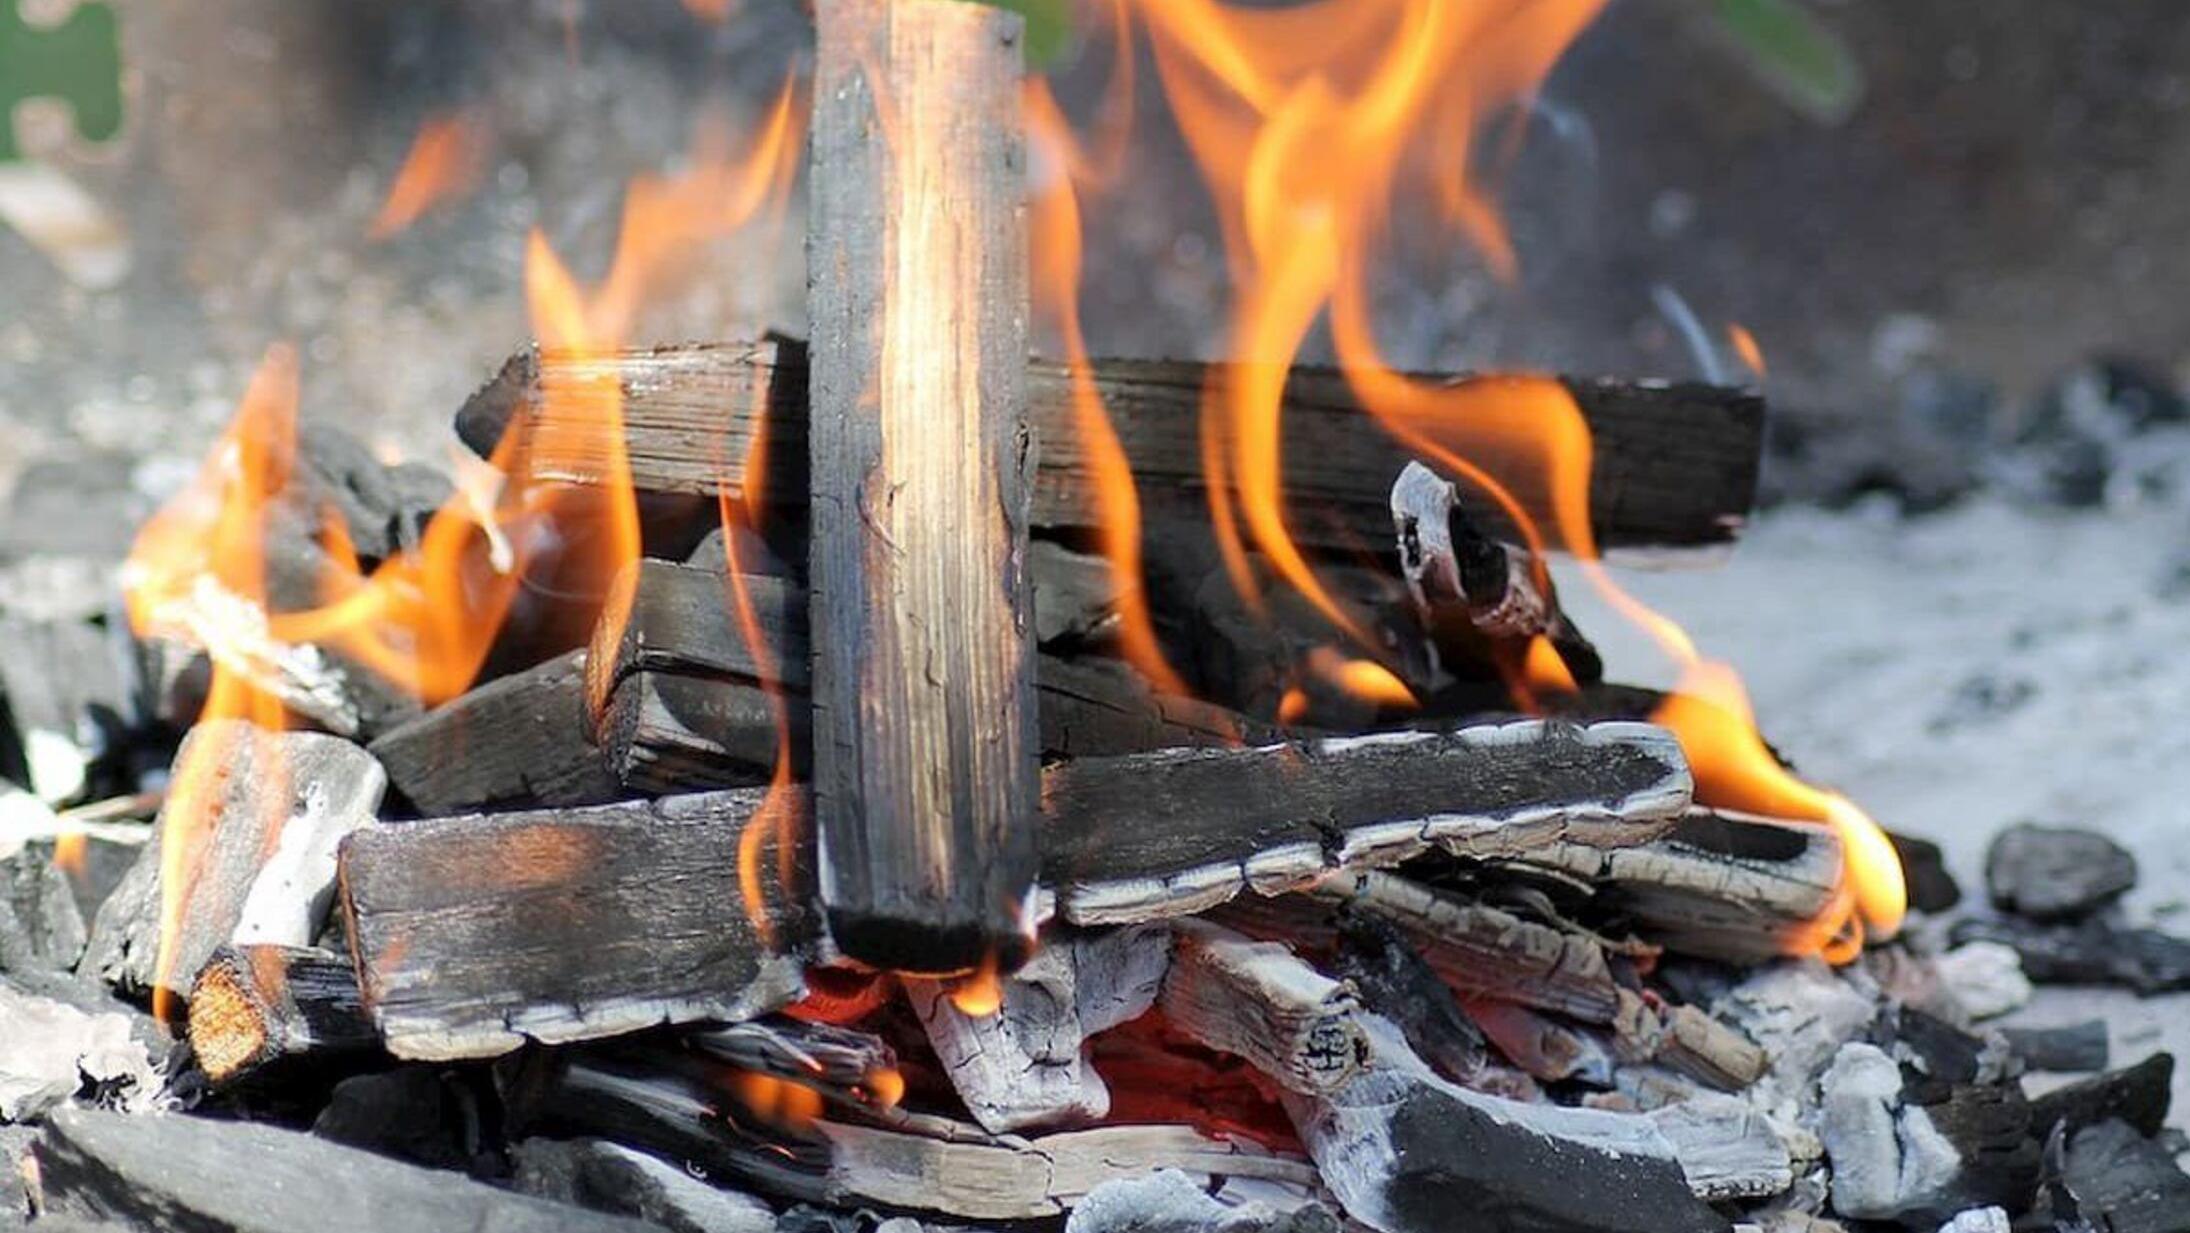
1306 122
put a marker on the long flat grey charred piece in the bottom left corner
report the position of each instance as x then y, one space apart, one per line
238 1177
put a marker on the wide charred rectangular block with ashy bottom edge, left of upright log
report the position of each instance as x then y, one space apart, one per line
476 934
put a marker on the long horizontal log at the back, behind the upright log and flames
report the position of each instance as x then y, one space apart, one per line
1676 463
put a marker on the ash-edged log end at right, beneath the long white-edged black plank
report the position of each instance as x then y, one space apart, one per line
1720 886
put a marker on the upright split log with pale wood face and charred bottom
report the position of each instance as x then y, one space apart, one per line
925 757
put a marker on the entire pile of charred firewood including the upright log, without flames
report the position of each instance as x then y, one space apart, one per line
838 860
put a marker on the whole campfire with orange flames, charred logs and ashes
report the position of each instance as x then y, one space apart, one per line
796 783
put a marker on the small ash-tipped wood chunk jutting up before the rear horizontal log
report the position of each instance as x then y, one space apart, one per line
1473 588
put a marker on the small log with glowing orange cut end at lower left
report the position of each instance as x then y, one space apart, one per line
260 1009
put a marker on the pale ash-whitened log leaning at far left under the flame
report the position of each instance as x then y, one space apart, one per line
260 853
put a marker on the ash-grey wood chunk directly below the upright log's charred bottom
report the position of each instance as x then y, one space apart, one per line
1022 1065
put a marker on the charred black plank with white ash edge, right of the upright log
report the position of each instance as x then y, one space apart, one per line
1184 831
